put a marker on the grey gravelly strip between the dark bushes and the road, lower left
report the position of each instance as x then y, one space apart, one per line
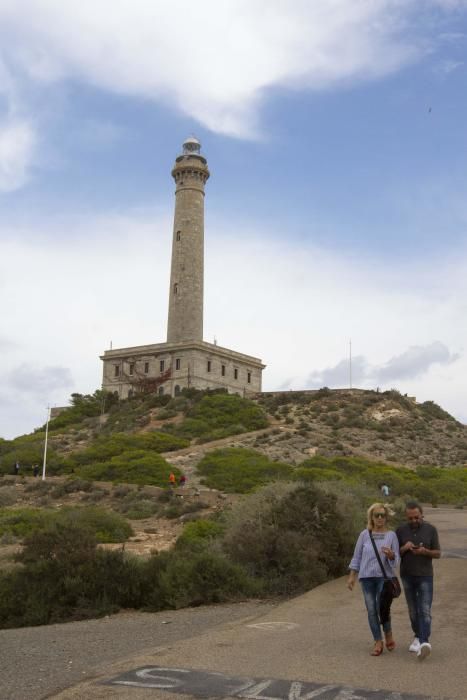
38 662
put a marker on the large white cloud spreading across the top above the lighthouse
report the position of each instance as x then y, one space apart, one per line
211 60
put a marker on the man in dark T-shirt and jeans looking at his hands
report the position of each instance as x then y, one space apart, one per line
419 545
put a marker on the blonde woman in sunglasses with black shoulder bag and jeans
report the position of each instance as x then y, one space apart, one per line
365 564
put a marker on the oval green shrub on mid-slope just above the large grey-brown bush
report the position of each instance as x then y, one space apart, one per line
239 470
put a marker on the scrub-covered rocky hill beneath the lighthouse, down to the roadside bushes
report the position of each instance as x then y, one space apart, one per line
261 475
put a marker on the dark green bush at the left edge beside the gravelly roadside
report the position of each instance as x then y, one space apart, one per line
65 577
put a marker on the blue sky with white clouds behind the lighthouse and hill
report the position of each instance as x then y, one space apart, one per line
336 212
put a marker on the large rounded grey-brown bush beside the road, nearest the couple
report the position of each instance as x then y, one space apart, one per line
290 537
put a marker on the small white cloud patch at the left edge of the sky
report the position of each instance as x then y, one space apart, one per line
17 150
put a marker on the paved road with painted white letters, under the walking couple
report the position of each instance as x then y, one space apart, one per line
316 645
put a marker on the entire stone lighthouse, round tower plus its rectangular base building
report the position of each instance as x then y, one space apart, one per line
185 360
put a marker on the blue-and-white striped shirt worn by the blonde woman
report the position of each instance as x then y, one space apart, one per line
364 558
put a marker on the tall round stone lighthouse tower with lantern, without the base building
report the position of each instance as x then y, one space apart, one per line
190 172
